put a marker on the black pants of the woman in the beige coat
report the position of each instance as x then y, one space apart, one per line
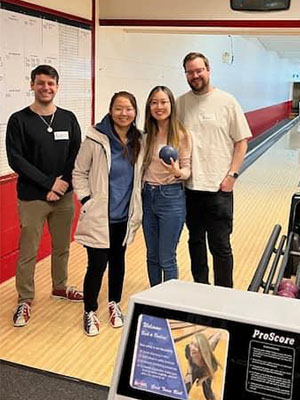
97 262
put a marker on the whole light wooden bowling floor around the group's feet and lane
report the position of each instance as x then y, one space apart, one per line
54 340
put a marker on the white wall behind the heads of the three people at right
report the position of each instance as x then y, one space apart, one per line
138 61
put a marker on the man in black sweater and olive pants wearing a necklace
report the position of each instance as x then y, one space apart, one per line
42 141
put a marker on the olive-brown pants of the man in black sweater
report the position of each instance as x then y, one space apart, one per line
33 215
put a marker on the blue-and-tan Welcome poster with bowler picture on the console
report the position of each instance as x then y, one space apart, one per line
178 359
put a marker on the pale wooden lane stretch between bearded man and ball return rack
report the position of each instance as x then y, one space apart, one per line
262 199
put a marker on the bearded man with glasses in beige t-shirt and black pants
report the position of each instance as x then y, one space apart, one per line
219 132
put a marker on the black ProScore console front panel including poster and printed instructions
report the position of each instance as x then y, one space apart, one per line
197 357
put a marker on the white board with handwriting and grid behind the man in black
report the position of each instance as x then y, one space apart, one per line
29 40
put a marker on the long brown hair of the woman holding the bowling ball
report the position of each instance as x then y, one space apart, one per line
151 127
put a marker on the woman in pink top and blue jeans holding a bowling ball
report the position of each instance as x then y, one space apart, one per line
163 192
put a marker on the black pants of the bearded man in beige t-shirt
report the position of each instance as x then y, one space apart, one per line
209 218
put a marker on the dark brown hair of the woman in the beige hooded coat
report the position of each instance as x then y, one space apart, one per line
133 134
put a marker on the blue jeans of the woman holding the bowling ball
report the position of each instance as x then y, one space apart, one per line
163 218
